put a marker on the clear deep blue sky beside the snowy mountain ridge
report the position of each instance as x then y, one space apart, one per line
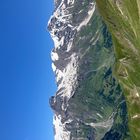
26 77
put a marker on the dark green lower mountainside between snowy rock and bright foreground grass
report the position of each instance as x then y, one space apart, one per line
97 91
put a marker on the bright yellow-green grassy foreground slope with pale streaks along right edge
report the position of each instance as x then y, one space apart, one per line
123 20
